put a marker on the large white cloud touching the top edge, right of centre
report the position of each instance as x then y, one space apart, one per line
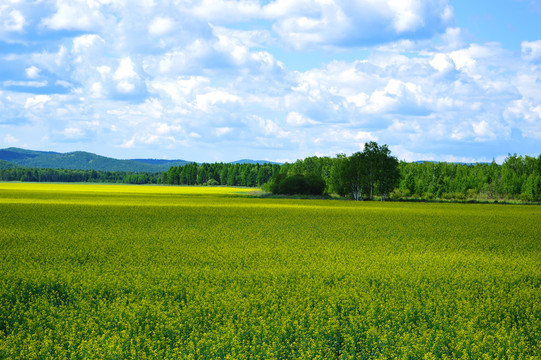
308 23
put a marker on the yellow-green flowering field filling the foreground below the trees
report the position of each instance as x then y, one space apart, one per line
134 272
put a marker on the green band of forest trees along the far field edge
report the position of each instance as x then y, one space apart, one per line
367 175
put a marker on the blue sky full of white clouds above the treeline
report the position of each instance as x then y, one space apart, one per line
279 80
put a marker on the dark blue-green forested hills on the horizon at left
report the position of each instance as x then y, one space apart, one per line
81 160
